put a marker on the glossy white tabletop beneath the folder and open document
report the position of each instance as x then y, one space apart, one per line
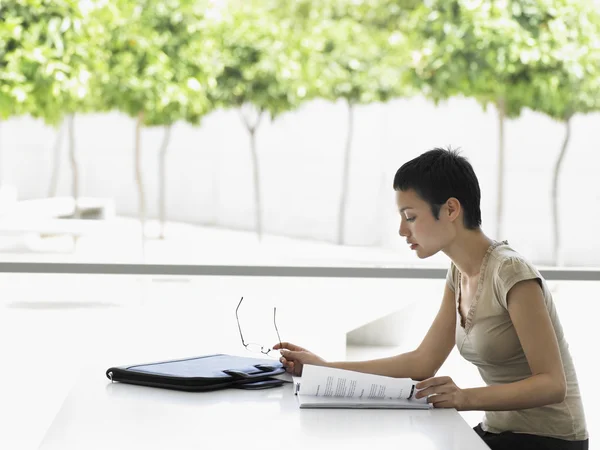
98 414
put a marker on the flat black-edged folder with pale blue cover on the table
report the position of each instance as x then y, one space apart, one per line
202 373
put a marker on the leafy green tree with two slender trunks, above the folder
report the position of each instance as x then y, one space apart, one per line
154 70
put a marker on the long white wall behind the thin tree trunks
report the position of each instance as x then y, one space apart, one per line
209 172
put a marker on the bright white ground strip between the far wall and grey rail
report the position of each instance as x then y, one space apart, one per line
190 244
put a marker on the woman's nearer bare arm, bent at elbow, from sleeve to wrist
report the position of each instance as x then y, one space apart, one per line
547 383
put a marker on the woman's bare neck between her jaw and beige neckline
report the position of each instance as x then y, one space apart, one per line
467 251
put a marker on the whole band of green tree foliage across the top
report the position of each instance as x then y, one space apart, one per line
178 59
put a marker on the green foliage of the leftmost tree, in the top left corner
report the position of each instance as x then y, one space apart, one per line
44 59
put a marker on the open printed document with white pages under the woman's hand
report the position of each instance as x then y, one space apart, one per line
325 387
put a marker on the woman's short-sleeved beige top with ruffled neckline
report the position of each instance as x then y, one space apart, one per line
489 340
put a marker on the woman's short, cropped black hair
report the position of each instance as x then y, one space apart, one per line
439 174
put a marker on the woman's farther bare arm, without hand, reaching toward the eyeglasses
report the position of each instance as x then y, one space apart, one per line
423 362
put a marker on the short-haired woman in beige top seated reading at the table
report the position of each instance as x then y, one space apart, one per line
496 308
